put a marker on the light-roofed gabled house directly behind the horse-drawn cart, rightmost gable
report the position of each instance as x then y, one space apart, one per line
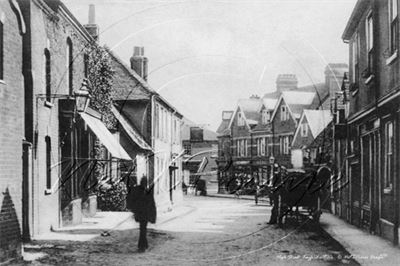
311 124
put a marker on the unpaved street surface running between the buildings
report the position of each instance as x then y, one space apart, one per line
215 232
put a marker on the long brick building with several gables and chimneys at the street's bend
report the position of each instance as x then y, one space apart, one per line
264 127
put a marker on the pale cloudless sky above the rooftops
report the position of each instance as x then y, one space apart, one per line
205 55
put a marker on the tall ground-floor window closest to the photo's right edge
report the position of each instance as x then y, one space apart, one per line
388 178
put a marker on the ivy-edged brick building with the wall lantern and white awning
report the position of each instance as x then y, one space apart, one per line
59 166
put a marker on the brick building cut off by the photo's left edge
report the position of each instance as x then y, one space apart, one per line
12 29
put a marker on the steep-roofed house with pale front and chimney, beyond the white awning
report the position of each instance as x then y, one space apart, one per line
150 129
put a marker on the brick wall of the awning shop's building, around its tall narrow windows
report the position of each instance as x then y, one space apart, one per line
50 30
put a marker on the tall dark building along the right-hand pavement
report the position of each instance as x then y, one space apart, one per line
367 128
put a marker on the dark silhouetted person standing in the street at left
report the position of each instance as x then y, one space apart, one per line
144 209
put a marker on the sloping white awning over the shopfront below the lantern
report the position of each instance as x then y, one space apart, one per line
105 136
